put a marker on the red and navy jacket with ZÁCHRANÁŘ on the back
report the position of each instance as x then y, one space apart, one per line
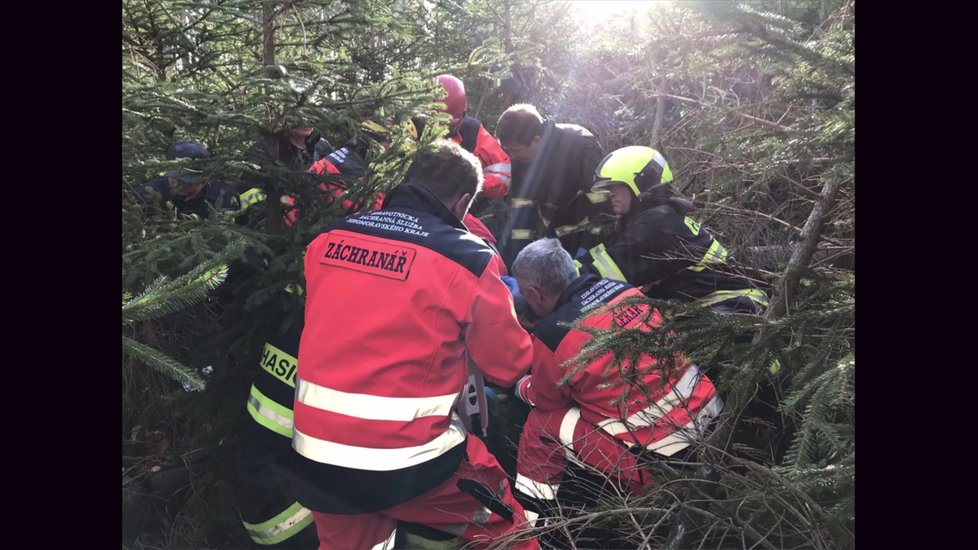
394 300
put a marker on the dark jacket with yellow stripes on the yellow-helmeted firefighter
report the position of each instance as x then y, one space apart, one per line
656 242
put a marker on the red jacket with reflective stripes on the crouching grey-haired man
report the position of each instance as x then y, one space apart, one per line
651 416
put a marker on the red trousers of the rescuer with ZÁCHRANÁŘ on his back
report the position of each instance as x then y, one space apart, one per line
446 508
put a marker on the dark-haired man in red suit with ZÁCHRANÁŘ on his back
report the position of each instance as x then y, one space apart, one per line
395 299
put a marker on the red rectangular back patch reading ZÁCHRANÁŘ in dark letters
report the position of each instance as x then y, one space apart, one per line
369 256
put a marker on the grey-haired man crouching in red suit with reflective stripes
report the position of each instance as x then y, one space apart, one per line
596 419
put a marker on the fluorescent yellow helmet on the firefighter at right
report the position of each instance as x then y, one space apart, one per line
638 167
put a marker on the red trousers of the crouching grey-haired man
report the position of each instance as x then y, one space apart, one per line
551 438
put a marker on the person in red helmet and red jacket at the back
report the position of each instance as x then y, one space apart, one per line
473 137
